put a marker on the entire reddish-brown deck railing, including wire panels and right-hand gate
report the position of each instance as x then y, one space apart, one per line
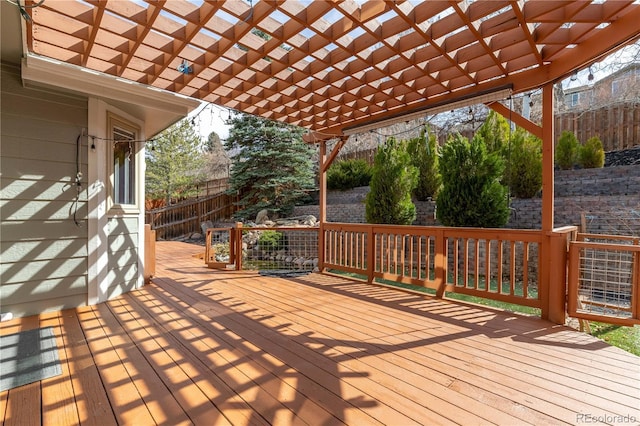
506 265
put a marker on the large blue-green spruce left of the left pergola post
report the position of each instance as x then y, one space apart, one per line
272 167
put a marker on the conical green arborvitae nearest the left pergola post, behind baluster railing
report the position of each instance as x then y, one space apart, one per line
393 180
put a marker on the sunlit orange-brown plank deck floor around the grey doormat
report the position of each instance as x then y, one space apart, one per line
214 347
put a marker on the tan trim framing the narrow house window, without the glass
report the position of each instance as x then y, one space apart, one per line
115 121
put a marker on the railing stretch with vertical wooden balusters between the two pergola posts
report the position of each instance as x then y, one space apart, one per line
496 264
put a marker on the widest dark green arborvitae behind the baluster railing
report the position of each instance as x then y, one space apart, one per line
471 193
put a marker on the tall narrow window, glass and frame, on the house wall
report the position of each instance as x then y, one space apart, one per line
123 162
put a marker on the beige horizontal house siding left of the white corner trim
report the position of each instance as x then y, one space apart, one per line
43 252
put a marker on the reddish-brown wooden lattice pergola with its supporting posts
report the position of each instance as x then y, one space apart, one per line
334 67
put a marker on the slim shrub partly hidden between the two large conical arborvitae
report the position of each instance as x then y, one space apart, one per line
424 156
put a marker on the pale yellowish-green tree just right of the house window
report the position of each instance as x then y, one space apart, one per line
174 163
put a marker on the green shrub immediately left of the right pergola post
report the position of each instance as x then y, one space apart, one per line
523 172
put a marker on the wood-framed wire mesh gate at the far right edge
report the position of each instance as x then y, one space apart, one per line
604 279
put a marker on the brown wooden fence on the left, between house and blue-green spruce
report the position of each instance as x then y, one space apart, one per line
187 217
